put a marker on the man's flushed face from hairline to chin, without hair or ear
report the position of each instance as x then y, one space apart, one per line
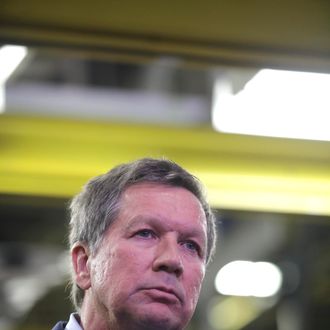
151 262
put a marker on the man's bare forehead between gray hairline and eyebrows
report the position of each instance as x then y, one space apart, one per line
173 204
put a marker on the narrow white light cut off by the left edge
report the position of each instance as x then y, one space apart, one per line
10 58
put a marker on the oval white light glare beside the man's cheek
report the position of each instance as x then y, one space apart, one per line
247 278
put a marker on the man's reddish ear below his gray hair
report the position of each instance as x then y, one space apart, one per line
80 263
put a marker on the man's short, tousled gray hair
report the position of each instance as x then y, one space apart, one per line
97 206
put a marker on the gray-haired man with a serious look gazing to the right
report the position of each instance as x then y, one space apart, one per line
141 236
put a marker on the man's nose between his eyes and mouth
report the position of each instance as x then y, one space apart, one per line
168 258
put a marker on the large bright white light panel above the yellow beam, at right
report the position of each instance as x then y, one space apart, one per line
275 103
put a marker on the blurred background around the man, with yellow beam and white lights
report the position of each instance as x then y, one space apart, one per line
236 92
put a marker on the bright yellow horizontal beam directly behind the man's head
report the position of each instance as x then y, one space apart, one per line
54 157
